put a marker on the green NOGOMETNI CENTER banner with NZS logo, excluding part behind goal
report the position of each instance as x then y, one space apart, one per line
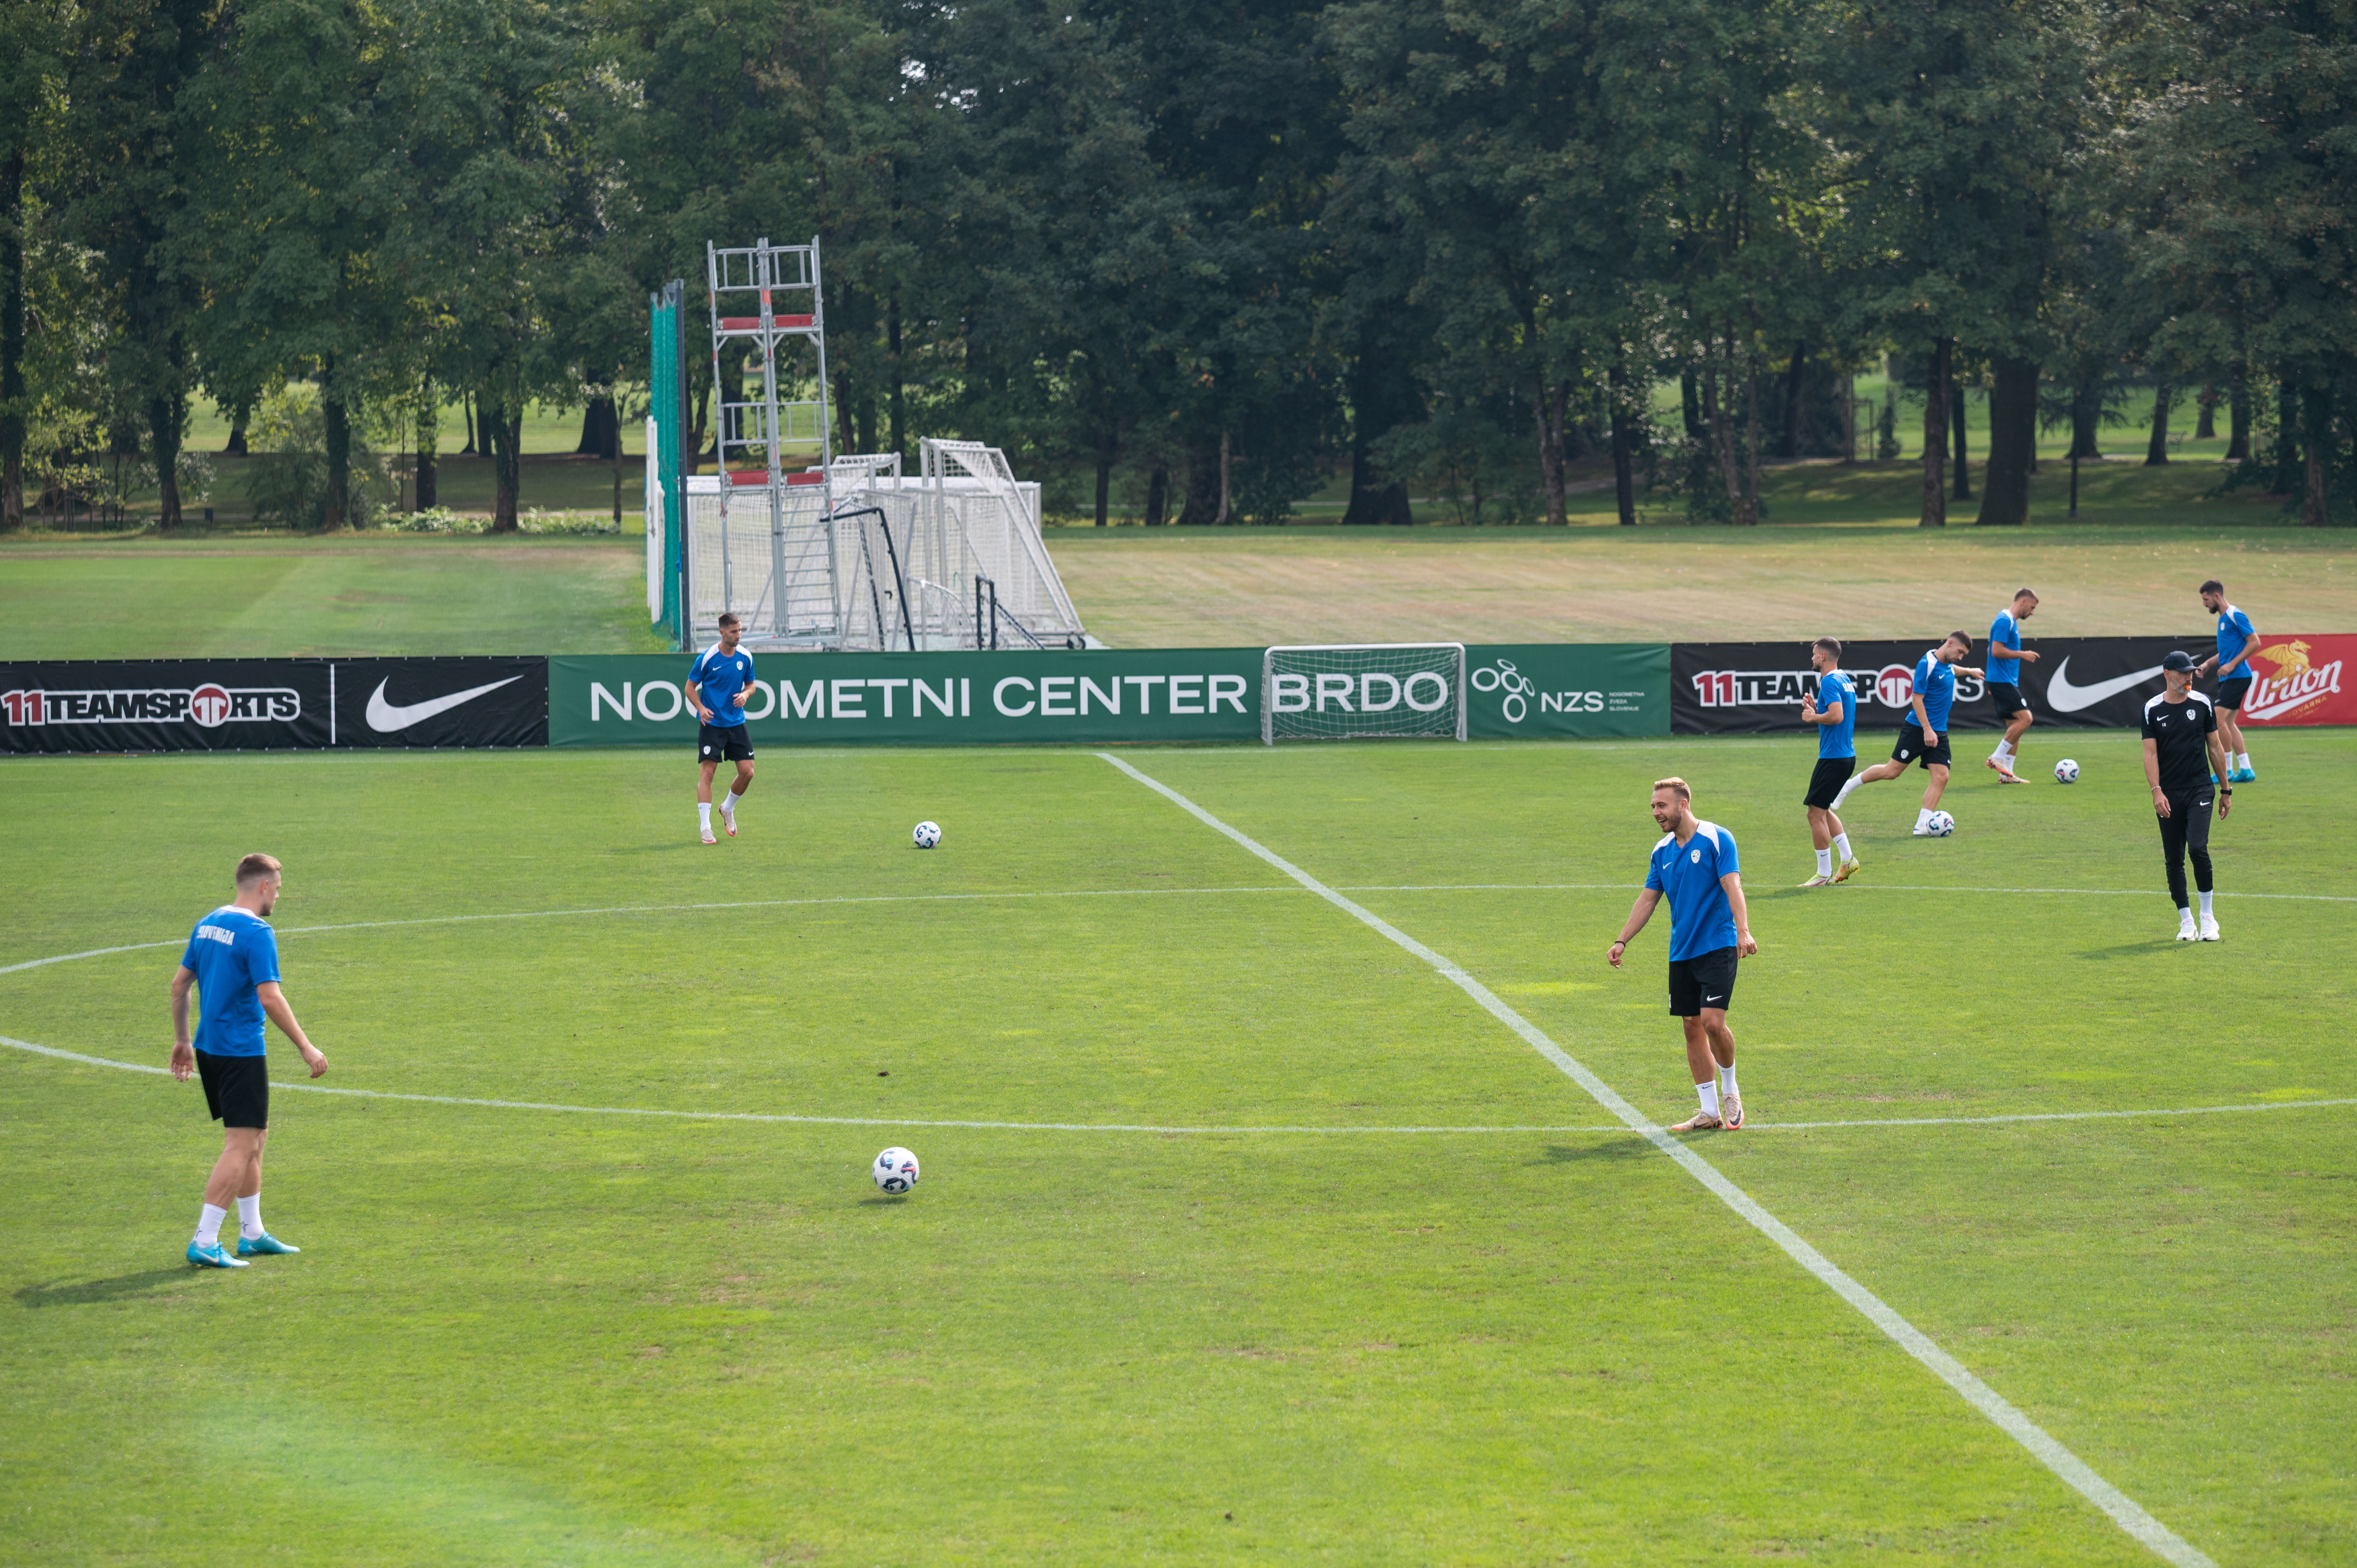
1095 697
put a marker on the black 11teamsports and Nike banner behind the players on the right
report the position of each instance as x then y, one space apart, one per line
1755 687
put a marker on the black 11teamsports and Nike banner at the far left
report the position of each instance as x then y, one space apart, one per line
272 704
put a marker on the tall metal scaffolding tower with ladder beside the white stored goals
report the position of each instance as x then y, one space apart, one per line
765 298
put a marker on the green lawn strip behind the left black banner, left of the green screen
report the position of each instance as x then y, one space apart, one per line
223 595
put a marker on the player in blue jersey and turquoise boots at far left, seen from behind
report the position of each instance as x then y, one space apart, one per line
232 963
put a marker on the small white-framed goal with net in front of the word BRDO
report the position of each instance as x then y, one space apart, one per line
1361 692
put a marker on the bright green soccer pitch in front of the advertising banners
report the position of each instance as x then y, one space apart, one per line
1246 1232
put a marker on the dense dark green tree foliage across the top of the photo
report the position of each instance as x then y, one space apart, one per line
1206 249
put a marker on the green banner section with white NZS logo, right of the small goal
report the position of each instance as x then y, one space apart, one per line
1569 690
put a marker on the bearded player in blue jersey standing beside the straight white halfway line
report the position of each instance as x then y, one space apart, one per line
1696 869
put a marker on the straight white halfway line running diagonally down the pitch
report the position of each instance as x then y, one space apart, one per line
1995 1406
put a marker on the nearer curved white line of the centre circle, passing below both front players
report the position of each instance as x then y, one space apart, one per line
1201 1128
